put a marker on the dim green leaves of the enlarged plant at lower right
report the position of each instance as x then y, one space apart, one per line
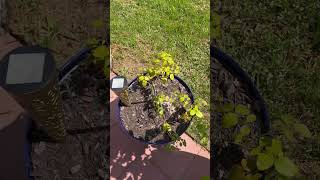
268 158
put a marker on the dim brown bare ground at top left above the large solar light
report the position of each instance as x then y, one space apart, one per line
64 26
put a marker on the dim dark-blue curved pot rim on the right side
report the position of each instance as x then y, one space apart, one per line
233 67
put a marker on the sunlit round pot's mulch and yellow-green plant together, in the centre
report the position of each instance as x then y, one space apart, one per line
162 105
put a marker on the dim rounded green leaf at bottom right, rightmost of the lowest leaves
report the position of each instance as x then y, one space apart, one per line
285 167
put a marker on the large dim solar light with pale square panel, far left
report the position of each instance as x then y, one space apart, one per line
30 74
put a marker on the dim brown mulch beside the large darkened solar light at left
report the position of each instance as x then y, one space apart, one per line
84 155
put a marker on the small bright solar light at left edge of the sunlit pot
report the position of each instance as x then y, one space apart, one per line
119 85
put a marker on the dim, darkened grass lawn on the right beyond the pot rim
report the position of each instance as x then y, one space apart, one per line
277 42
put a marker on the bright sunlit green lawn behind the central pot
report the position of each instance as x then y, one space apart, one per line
140 29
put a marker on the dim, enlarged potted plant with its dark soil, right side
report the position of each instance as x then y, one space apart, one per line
241 147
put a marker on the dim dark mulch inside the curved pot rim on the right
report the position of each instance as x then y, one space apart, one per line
227 87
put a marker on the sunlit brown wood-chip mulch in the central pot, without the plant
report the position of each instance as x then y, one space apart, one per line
142 121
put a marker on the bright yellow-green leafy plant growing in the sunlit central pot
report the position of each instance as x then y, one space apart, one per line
165 69
